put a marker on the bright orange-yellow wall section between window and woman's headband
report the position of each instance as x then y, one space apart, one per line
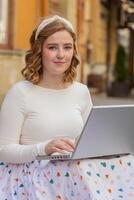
27 14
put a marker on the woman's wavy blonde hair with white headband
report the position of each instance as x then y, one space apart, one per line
33 69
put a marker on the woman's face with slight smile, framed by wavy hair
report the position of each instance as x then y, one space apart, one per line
57 53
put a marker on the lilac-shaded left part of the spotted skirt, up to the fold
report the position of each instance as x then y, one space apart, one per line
42 180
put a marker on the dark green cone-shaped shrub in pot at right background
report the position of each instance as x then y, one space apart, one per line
121 65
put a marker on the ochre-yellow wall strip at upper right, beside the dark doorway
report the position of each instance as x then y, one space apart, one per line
98 33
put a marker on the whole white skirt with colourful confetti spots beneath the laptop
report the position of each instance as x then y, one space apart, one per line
90 179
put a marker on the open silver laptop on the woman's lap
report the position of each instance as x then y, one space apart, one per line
109 130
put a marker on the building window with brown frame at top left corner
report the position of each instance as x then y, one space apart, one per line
6 8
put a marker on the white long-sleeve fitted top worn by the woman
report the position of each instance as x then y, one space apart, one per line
31 116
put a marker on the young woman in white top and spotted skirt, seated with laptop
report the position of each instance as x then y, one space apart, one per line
43 114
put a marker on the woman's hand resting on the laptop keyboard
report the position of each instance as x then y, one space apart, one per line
60 145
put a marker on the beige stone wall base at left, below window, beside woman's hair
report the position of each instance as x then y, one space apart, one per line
11 63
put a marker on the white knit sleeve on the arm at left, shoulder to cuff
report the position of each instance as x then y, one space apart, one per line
12 115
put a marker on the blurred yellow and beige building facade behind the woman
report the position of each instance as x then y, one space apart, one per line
96 34
